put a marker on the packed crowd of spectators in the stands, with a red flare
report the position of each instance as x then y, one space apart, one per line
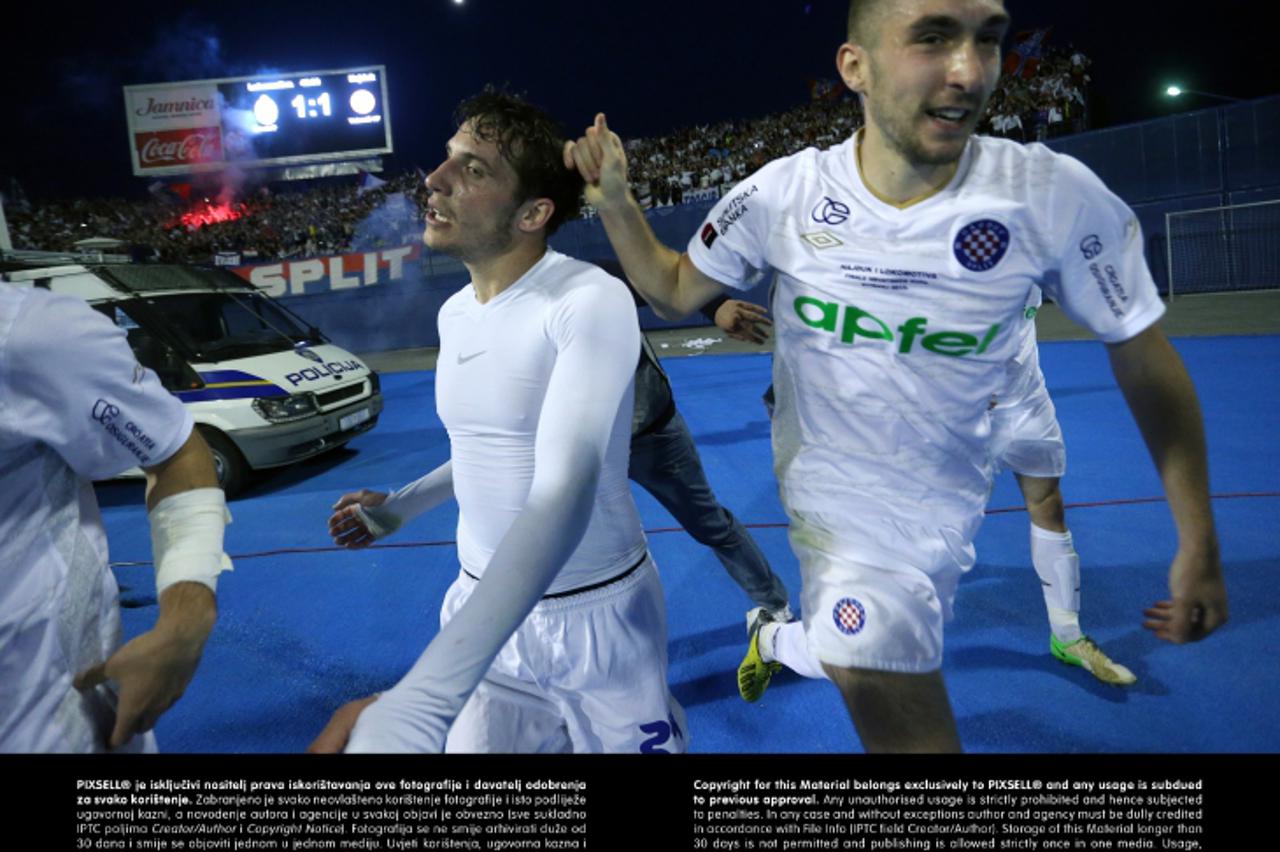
1037 102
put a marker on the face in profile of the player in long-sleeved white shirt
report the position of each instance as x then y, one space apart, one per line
472 208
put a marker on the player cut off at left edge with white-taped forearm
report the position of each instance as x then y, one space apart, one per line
76 406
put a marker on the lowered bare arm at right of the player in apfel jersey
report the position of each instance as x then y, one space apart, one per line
1164 404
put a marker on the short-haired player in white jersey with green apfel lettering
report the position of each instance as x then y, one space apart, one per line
904 260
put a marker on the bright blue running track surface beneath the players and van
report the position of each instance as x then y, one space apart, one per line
305 627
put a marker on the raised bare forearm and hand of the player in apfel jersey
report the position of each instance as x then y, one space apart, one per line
668 280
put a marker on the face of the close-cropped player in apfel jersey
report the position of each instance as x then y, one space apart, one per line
931 68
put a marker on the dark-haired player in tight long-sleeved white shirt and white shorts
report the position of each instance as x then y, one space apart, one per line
554 638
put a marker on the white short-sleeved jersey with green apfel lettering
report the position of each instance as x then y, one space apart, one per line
895 327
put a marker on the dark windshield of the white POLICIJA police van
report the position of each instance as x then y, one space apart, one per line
220 327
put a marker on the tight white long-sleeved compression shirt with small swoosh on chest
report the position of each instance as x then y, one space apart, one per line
534 388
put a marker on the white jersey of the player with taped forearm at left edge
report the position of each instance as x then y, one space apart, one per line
75 406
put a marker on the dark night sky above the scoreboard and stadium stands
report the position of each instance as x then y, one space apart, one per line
652 66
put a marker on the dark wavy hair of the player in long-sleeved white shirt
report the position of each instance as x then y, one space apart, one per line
532 143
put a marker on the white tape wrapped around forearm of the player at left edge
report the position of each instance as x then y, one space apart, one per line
188 538
